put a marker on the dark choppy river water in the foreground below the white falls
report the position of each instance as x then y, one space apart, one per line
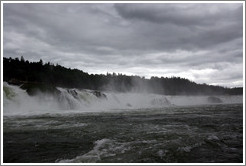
201 134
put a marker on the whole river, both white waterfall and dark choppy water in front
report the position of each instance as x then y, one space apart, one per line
87 126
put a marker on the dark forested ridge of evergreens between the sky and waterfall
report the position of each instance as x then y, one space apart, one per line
22 71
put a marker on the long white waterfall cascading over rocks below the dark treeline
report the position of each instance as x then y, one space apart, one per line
17 102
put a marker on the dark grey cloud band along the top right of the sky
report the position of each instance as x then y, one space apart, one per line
183 14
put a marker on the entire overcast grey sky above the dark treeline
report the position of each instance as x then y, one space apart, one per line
202 42
